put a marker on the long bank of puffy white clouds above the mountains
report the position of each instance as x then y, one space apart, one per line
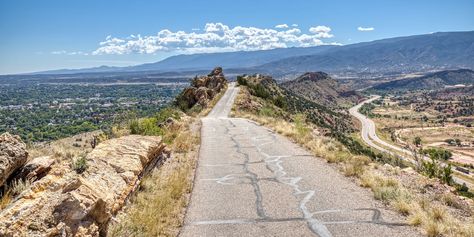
215 37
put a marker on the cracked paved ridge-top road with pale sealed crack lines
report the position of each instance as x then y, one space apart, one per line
253 182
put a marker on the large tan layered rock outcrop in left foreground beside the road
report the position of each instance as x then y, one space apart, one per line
64 203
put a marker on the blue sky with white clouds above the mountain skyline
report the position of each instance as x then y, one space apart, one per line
54 34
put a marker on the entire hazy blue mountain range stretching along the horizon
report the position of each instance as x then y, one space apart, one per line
437 51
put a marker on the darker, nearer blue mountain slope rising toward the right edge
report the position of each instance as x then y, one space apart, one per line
435 51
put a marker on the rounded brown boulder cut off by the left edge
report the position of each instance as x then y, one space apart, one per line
13 155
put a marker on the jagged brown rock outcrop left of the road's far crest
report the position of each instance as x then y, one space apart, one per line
202 89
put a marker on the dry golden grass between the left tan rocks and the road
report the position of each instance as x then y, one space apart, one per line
157 209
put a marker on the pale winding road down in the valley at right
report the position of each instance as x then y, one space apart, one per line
369 136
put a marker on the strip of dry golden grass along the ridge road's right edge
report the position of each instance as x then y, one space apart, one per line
434 217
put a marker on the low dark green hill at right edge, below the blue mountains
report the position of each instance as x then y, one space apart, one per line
433 81
